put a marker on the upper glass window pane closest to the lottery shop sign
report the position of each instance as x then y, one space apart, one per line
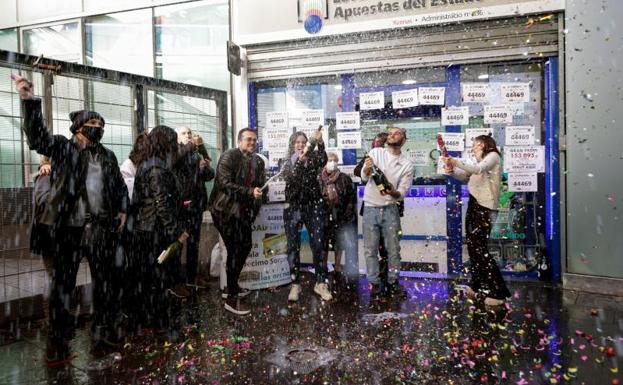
191 43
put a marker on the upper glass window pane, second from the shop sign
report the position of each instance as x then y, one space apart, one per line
121 41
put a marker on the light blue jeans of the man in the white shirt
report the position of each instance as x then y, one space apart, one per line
383 221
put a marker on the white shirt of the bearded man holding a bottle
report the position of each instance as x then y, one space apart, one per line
398 170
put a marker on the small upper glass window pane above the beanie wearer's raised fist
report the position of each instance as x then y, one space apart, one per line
61 41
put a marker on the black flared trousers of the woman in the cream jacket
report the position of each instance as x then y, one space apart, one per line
486 275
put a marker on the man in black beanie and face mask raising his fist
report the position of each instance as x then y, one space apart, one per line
86 207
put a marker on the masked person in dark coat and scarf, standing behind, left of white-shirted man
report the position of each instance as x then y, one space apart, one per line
338 194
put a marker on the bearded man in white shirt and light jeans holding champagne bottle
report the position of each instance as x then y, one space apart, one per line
389 174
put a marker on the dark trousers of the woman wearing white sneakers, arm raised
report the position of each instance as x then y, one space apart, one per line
312 216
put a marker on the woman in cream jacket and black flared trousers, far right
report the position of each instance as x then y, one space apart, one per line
483 183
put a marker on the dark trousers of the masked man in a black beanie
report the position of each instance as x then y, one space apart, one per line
101 248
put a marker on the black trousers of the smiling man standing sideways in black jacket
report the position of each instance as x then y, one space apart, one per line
236 233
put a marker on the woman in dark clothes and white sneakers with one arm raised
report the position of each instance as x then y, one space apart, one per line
305 207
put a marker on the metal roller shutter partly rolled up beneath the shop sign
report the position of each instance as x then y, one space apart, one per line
492 40
